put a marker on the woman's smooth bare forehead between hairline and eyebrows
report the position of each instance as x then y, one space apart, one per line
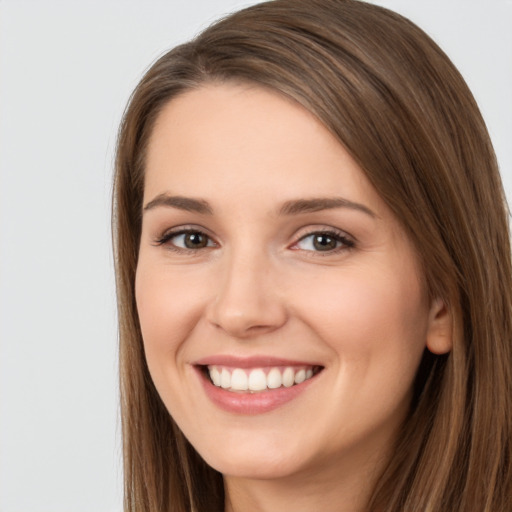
232 140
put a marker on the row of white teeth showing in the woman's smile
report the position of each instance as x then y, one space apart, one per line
254 380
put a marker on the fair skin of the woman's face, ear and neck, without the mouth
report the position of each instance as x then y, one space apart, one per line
261 287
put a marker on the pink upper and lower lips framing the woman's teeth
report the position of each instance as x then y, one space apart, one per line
250 403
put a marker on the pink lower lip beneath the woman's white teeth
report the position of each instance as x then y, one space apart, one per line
252 403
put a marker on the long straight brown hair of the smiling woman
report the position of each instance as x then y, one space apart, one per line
399 106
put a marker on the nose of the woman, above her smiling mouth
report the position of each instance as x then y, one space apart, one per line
248 301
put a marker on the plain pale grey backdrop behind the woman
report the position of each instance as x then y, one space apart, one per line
66 71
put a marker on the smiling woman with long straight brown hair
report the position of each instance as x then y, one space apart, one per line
313 272
